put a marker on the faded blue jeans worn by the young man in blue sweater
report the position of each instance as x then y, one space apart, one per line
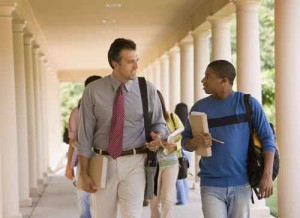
226 202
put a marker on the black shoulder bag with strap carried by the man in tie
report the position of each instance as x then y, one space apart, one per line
151 163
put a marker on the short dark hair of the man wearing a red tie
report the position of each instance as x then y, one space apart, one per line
116 47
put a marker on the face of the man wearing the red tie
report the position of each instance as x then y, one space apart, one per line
128 65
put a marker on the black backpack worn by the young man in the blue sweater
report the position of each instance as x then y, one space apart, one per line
255 160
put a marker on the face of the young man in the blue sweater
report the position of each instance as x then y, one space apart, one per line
212 84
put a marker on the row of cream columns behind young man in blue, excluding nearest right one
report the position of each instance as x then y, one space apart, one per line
190 57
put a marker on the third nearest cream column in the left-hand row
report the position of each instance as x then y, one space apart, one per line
28 38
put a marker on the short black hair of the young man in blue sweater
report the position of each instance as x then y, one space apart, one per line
223 68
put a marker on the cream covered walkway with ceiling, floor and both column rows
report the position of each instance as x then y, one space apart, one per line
44 43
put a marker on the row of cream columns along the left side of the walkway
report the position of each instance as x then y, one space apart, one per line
24 154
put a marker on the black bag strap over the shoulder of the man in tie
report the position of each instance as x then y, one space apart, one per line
147 123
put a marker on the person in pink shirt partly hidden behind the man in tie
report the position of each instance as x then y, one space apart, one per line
83 197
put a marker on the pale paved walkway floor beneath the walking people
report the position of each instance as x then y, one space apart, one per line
58 200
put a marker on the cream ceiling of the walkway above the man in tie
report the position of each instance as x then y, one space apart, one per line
77 33
